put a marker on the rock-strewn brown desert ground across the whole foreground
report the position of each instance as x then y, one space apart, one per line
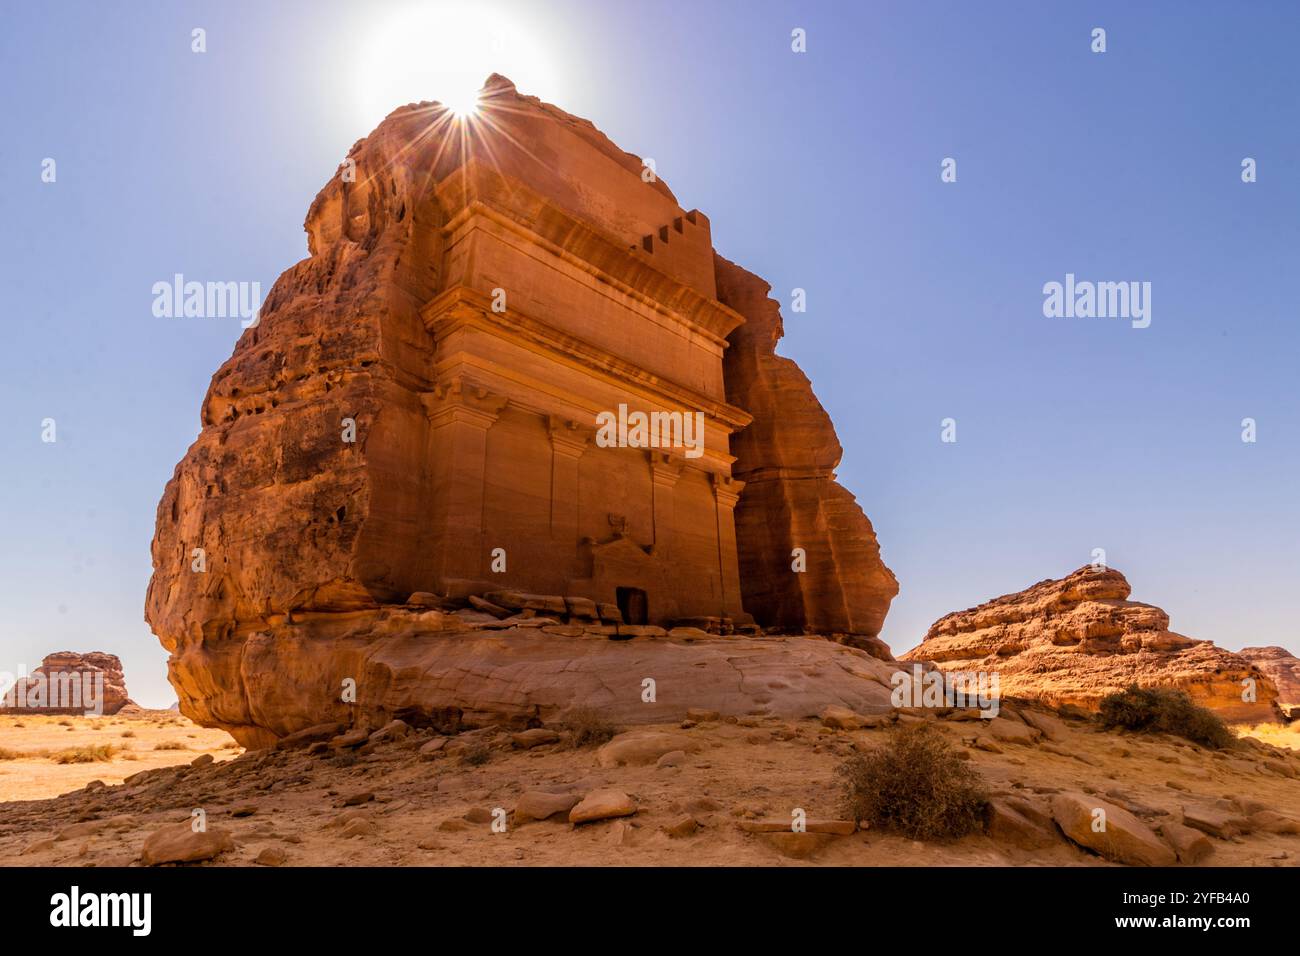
703 793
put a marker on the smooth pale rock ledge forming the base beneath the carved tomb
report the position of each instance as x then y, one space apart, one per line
435 671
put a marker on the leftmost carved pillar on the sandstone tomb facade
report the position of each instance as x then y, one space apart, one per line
461 413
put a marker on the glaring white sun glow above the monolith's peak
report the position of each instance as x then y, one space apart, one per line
445 51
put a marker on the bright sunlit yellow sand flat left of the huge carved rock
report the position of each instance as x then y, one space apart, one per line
33 747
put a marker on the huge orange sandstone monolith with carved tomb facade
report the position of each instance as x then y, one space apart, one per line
415 421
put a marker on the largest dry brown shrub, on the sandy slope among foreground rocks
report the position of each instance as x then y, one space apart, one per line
916 785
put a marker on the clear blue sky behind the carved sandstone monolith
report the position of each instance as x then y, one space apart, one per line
818 171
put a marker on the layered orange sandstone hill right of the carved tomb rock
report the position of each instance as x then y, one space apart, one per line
1077 639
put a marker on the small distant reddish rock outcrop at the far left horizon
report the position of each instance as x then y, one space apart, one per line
71 684
